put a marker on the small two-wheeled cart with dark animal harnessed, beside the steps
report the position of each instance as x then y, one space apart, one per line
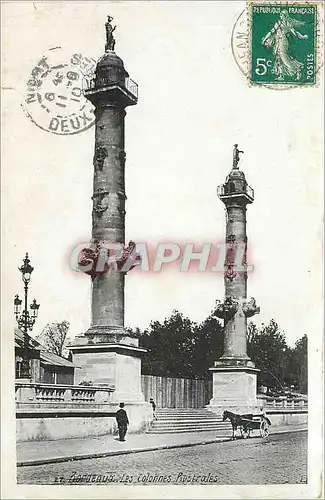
248 423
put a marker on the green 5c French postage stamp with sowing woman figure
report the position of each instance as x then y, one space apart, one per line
283 43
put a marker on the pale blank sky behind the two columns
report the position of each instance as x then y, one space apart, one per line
194 104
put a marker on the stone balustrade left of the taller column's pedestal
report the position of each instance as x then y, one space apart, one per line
29 392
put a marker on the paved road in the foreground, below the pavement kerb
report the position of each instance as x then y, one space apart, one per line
278 459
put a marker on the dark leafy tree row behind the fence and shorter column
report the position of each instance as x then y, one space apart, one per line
179 347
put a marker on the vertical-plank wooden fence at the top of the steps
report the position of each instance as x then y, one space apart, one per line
176 392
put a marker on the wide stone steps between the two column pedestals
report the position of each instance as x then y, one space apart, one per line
176 420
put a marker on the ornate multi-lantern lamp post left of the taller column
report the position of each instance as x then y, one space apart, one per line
27 318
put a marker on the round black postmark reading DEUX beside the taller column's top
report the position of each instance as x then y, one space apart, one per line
54 99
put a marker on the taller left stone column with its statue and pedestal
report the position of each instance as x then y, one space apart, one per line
107 354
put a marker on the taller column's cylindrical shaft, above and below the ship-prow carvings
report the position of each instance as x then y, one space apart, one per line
109 211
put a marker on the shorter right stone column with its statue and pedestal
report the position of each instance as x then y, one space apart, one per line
234 374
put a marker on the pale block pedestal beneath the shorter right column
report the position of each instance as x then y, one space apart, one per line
234 389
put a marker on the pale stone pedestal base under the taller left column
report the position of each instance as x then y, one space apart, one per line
114 362
